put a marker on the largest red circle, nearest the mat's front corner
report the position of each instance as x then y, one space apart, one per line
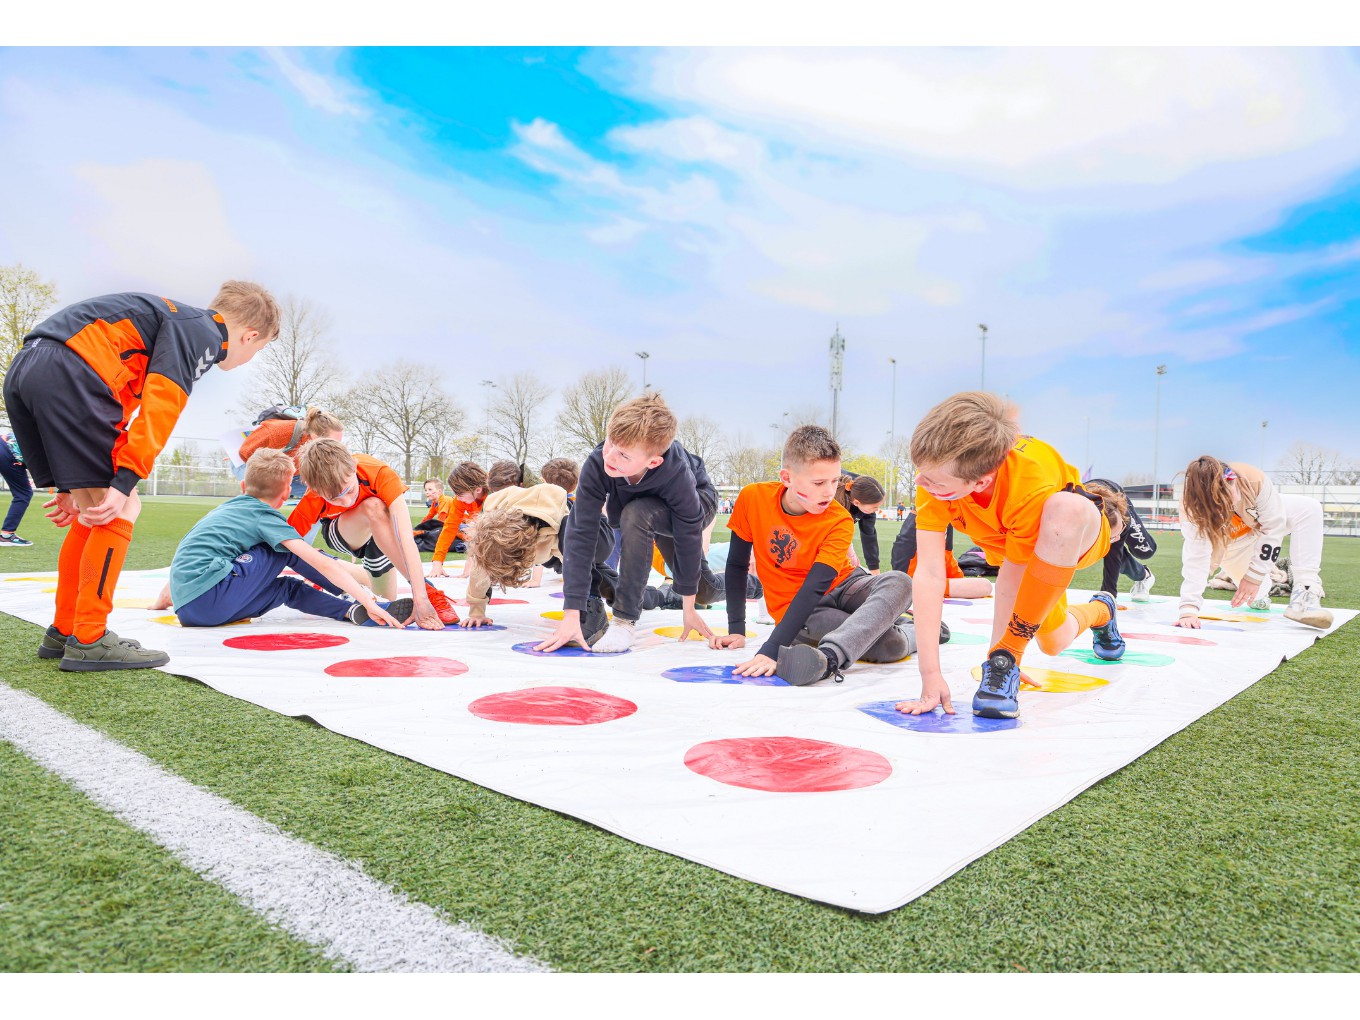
788 765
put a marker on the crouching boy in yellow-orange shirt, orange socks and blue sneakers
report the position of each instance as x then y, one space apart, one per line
1026 508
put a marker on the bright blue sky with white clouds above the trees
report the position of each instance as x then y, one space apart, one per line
1101 210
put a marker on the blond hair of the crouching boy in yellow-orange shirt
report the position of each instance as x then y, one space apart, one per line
972 432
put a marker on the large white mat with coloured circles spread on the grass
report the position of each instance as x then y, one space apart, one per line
920 804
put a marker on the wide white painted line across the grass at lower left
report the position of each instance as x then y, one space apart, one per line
316 897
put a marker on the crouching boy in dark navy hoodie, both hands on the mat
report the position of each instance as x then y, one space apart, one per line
659 493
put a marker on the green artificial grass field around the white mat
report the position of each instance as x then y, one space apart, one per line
1233 847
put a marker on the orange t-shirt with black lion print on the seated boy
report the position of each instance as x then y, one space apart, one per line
785 546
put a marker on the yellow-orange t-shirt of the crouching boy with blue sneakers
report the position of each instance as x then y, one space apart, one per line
1007 527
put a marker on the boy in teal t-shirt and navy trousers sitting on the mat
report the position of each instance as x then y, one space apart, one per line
228 566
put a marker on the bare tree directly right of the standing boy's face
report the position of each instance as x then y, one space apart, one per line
299 369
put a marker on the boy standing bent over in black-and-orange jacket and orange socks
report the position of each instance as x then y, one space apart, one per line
71 394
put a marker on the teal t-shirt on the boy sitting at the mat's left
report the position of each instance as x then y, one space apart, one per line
206 554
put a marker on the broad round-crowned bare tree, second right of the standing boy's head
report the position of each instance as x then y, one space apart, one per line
403 410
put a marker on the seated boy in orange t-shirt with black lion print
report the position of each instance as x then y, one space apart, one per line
828 613
